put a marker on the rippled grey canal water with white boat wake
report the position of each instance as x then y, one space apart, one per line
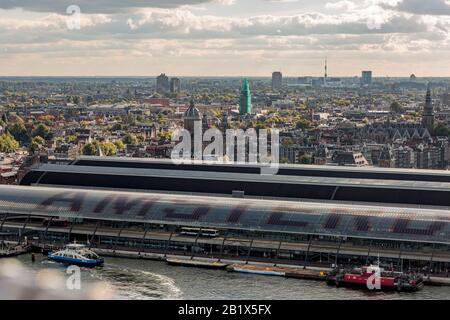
145 279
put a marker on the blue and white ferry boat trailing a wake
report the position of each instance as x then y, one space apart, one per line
76 254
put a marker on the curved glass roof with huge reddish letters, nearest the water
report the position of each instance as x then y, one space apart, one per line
292 217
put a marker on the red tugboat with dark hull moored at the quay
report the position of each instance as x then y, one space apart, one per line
374 277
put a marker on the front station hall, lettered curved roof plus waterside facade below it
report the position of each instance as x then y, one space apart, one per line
289 231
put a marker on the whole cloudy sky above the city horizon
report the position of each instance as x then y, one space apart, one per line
224 37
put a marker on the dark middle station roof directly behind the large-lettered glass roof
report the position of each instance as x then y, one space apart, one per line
415 192
